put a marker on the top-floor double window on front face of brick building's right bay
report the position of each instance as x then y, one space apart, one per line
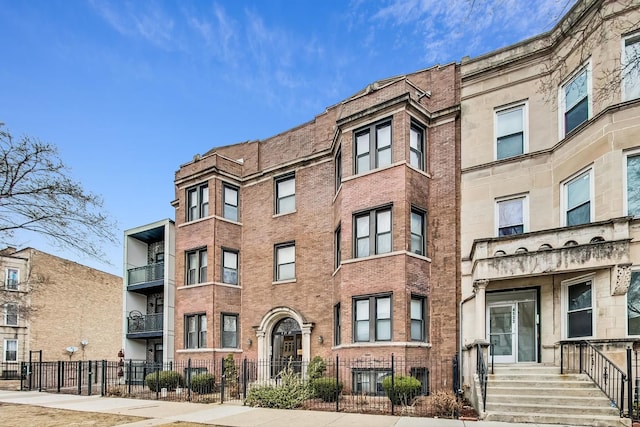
373 146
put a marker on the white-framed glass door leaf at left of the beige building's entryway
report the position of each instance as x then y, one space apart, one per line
501 332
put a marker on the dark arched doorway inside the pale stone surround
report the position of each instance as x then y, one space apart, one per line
286 342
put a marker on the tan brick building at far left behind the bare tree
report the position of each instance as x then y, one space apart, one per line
51 303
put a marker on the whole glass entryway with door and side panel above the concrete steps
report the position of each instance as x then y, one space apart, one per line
512 328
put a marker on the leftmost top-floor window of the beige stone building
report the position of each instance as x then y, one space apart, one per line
510 132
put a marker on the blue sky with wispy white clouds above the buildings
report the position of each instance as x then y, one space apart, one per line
130 90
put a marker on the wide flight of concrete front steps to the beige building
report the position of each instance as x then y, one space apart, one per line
539 394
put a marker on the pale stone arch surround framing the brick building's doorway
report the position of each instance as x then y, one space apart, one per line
265 331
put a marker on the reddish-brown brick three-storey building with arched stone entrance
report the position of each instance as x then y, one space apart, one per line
337 237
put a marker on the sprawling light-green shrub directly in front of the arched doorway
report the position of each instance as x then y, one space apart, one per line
290 394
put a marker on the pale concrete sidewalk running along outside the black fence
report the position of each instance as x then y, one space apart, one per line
160 412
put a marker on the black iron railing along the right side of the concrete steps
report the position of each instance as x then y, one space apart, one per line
584 357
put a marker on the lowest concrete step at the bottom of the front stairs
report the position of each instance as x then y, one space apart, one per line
545 418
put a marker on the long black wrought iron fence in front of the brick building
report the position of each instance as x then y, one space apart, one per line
369 385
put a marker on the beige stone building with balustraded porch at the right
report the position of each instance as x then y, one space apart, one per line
550 191
